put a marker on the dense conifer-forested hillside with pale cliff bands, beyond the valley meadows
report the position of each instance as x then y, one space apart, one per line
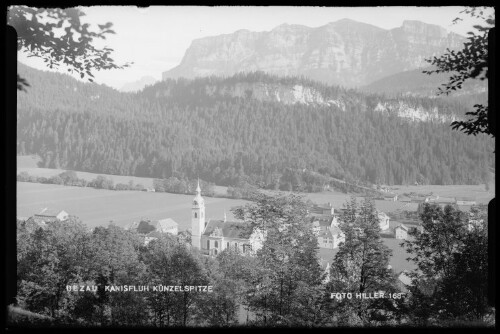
229 131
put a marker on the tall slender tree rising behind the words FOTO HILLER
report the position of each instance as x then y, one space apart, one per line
361 266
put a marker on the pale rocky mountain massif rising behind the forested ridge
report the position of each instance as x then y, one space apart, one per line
345 52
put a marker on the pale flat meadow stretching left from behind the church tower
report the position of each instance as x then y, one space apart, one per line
97 207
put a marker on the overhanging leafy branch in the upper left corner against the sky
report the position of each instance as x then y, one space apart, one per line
58 37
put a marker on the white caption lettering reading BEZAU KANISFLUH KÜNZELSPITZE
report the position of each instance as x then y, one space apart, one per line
142 288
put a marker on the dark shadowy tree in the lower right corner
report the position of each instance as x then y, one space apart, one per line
452 258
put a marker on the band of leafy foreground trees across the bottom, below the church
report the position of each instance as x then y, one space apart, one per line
283 284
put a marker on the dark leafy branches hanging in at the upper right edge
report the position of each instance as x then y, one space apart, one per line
471 62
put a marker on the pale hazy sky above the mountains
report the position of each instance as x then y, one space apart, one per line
155 38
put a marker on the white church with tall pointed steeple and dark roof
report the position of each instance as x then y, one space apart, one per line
213 236
